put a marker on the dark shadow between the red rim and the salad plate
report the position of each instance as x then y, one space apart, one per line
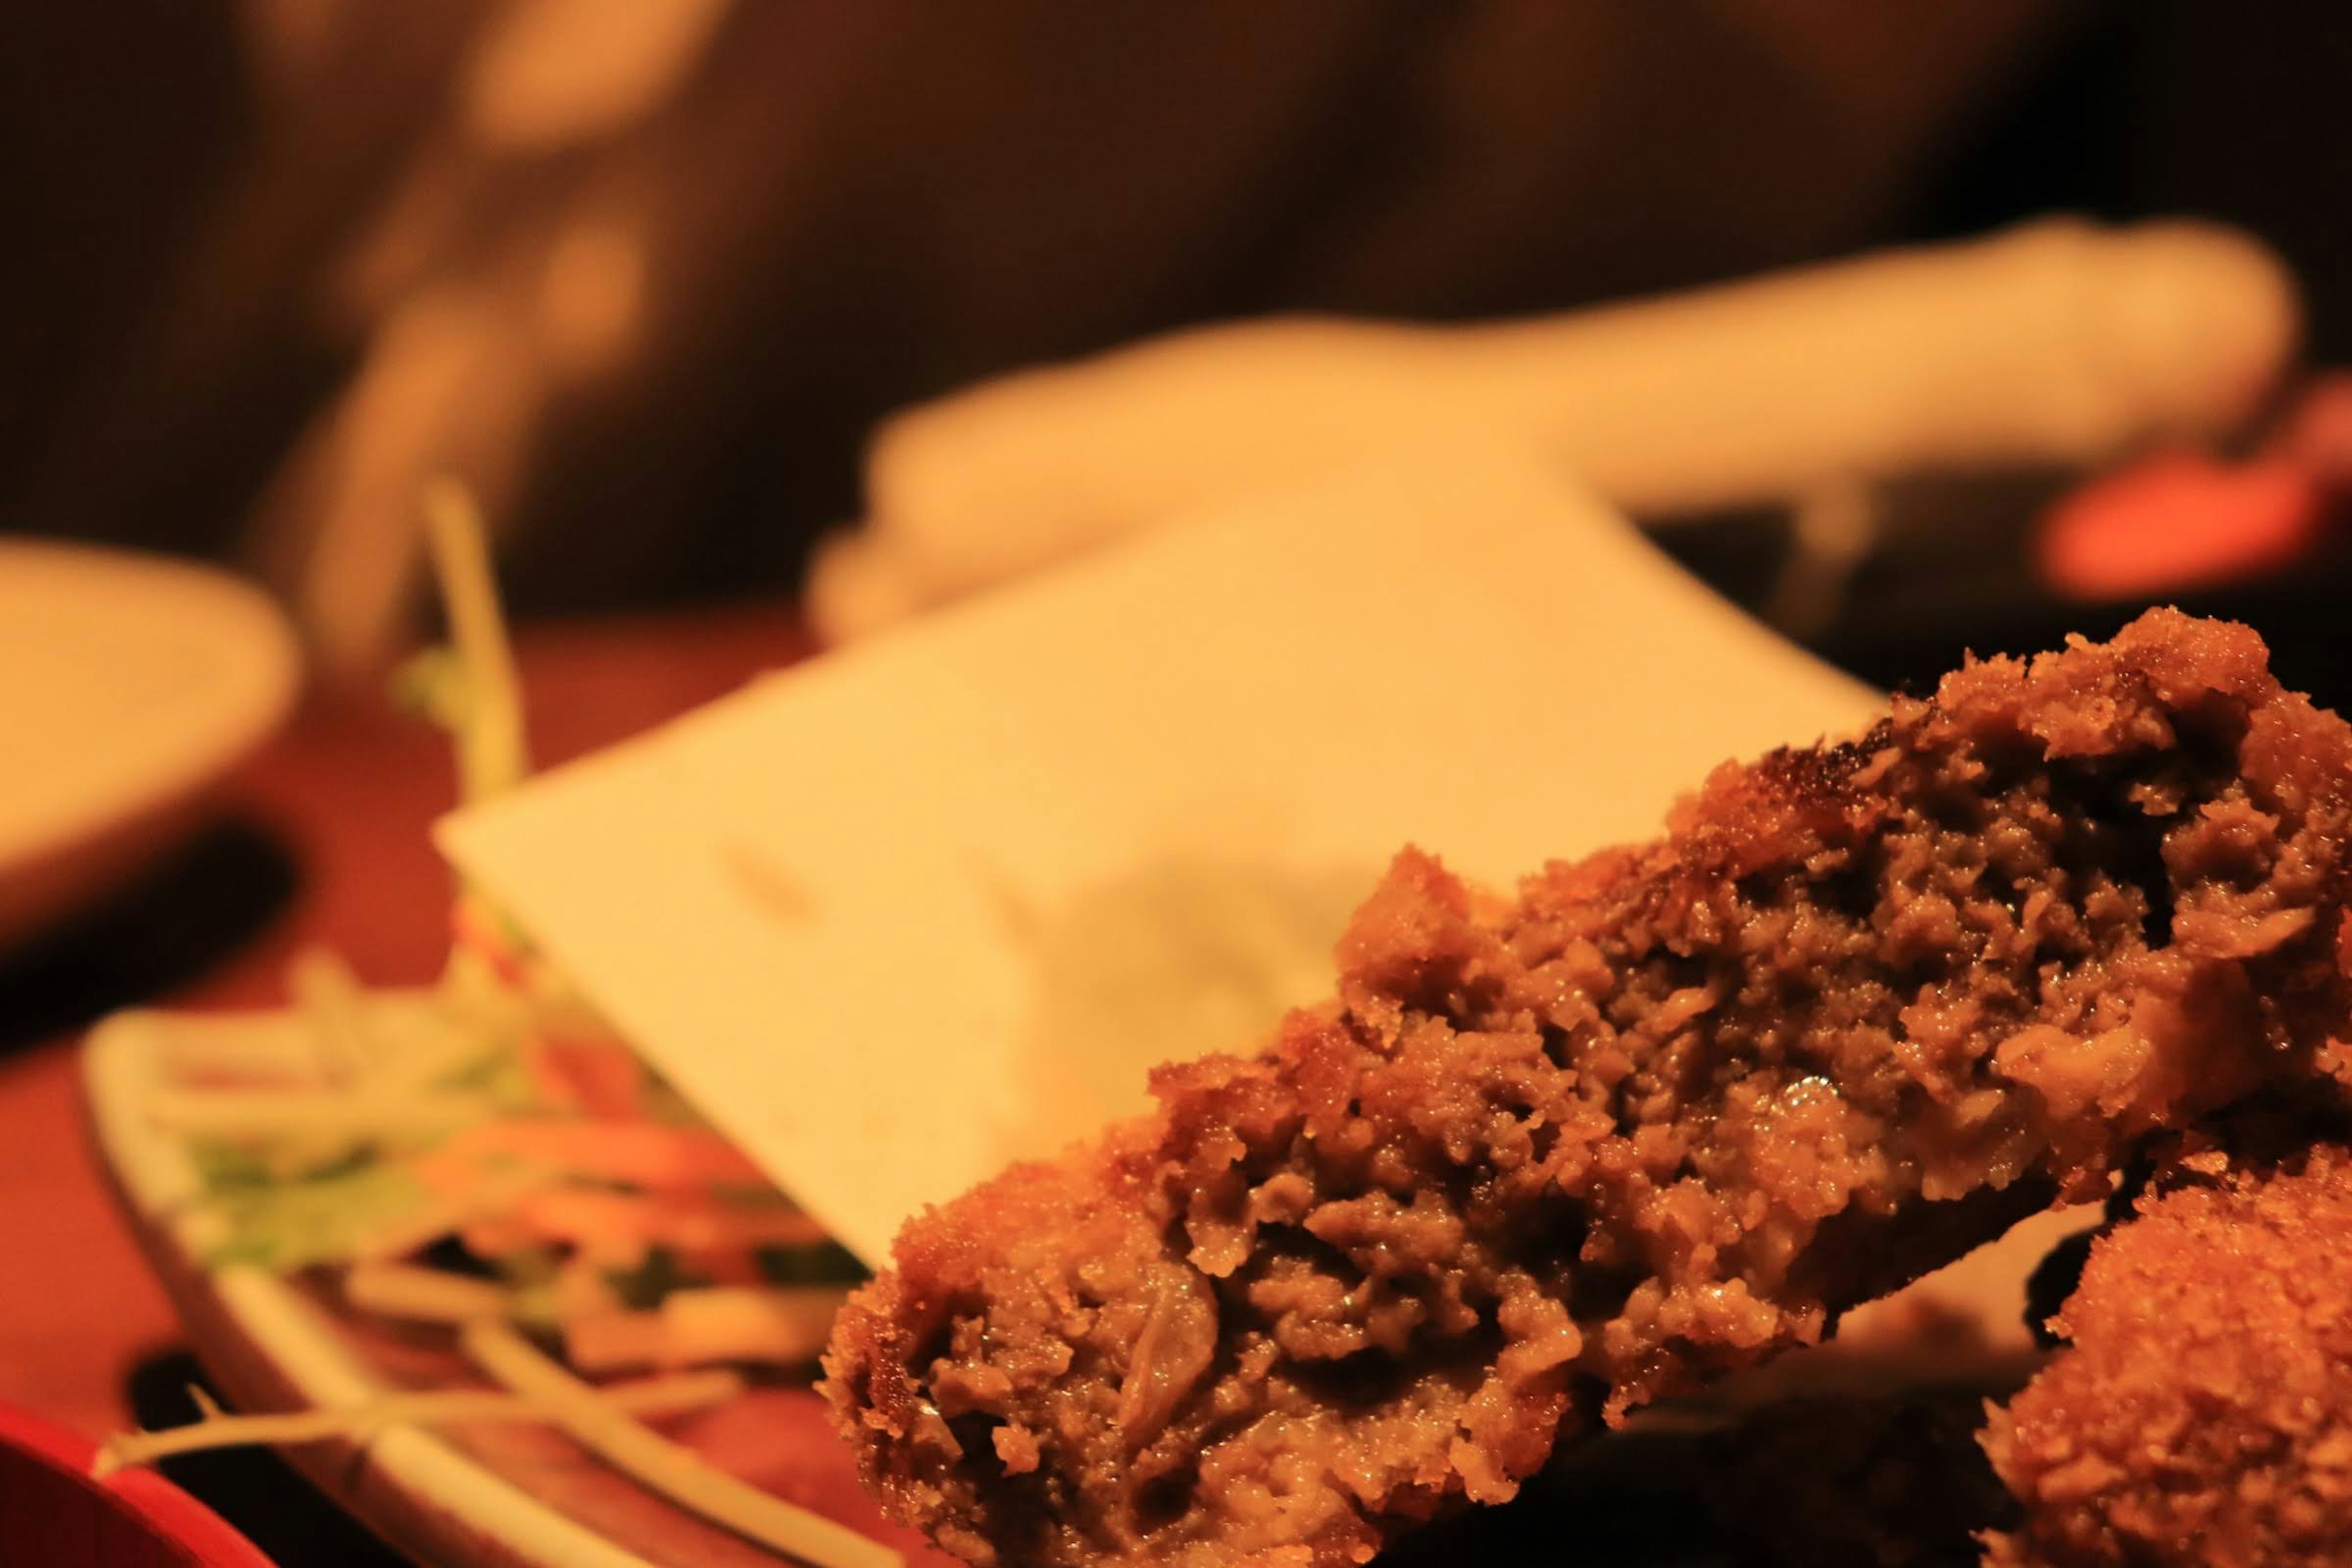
250 1487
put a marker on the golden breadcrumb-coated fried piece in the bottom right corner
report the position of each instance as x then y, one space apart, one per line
2203 1414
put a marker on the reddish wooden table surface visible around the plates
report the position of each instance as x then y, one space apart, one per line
349 789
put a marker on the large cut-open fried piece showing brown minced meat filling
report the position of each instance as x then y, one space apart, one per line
1664 1115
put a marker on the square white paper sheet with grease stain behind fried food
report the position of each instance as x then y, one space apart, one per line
937 902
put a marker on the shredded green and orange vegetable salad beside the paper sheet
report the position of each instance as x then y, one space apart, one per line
488 1158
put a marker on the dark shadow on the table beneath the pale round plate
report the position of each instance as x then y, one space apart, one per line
159 934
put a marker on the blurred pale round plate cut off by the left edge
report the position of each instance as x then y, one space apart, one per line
128 685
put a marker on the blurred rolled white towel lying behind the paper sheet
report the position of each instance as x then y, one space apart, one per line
2050 344
